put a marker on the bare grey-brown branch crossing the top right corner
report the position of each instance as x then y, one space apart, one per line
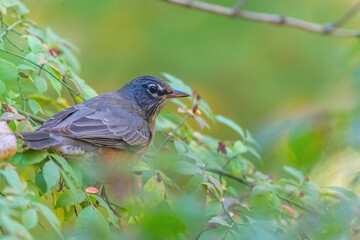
276 19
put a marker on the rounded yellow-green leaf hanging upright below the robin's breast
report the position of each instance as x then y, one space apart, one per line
153 192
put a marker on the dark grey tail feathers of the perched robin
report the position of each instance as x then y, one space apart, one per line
38 140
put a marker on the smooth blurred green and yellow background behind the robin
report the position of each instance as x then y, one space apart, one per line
296 91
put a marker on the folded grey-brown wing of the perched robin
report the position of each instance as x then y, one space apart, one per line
101 124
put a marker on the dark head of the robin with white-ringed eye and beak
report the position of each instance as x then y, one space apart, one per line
151 94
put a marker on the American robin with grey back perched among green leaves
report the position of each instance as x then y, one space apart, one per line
111 123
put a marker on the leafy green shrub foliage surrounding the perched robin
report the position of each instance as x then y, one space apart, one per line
191 185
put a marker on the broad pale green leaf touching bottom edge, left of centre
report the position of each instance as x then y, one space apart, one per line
93 223
